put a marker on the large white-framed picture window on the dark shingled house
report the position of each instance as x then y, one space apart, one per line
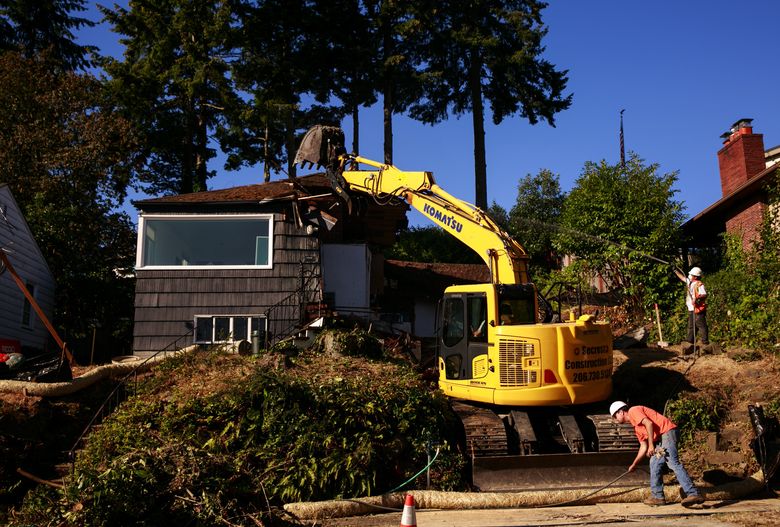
229 241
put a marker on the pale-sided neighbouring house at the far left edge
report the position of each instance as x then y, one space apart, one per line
18 320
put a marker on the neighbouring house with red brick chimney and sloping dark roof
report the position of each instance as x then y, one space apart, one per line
747 172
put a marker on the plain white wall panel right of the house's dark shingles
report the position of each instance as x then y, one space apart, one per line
346 274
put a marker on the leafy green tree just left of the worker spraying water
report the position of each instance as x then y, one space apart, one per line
616 220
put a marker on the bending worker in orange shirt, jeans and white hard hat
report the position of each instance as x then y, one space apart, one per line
652 428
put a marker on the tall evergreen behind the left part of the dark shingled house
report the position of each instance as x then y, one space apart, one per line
174 81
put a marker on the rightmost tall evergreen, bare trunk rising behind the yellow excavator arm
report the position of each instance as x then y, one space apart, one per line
488 50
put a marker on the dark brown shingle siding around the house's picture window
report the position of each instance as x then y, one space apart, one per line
168 300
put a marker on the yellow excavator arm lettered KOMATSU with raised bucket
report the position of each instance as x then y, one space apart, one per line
506 259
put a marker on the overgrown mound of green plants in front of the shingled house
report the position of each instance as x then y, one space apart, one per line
213 437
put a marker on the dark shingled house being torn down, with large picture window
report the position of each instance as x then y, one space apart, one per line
212 267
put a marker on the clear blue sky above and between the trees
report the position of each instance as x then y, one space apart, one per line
683 72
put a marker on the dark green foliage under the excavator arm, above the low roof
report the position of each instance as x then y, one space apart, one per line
431 244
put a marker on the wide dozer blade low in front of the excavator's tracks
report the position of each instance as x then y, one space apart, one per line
586 471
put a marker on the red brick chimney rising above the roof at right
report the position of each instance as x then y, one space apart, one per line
741 157
